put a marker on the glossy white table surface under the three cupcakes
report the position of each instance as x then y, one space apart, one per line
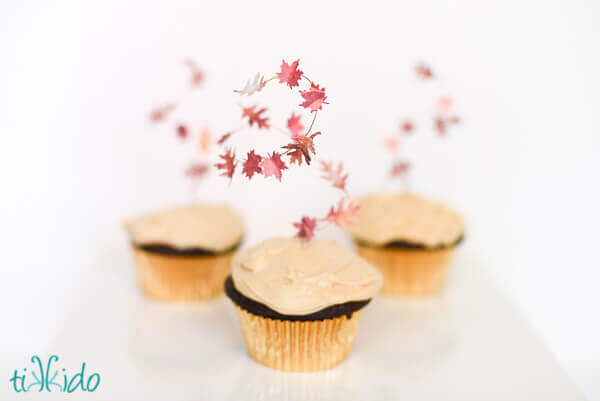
469 343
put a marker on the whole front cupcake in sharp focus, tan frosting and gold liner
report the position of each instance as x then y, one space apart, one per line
299 302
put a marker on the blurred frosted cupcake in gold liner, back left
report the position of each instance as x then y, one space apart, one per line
184 253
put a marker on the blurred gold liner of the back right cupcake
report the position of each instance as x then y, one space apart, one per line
409 271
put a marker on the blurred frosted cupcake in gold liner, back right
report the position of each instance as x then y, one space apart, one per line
409 238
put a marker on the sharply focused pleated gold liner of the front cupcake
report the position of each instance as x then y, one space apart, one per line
298 346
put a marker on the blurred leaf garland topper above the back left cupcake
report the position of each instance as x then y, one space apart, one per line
199 168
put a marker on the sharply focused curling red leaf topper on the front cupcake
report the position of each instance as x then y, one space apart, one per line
299 150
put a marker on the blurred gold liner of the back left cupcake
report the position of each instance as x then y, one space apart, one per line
182 278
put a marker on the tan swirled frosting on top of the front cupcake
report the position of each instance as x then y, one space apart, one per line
295 277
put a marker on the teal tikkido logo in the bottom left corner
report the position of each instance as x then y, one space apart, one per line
51 378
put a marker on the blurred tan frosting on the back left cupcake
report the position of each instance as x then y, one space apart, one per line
212 227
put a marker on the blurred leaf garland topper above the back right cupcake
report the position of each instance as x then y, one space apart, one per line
444 117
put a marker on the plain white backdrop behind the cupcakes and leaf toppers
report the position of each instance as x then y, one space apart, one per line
78 154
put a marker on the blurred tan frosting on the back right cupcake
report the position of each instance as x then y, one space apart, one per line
389 217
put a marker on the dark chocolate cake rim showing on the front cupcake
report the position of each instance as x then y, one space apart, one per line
256 308
